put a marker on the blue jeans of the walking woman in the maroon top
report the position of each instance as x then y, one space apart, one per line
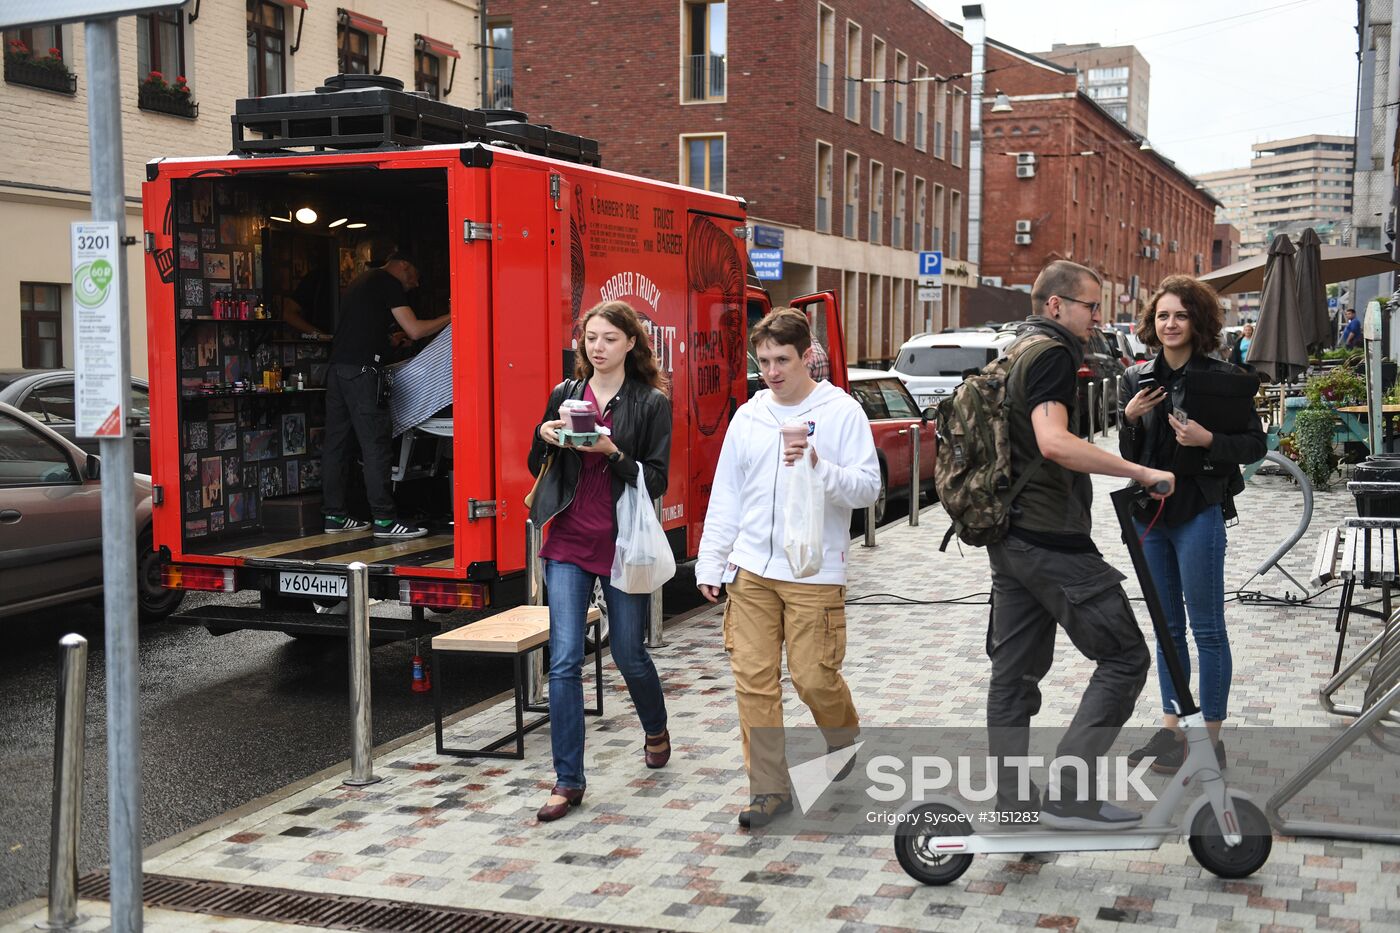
570 592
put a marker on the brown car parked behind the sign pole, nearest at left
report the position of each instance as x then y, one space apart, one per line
51 525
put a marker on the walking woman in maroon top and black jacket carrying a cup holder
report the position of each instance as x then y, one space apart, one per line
576 498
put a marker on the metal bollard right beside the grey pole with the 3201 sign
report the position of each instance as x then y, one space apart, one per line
69 732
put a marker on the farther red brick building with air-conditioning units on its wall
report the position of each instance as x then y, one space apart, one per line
1063 180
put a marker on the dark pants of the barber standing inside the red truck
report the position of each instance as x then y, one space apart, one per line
355 414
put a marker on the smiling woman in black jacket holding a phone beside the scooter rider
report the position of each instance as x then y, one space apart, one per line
1185 537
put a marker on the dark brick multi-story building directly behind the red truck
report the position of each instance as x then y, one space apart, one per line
843 125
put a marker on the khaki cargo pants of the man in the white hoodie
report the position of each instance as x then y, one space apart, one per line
761 617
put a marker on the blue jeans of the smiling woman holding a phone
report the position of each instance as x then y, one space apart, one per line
1189 572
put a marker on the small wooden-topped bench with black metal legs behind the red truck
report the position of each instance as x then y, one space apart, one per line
514 633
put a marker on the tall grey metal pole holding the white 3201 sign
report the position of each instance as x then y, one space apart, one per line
124 728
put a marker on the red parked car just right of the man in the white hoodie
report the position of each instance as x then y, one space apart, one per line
892 410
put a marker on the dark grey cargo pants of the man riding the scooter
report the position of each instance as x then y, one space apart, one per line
1034 589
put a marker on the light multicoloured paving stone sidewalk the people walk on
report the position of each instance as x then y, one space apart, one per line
664 850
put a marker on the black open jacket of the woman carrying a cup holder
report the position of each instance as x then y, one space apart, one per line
640 429
